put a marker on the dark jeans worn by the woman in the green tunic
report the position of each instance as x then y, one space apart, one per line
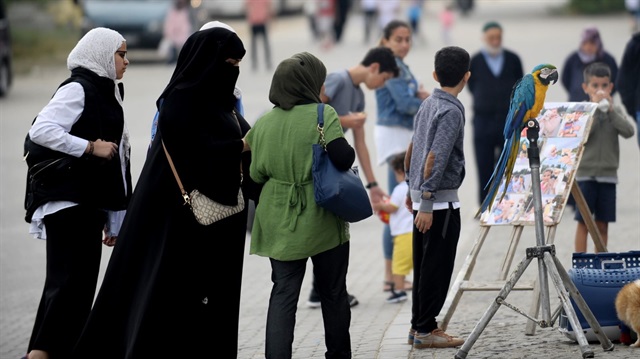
330 273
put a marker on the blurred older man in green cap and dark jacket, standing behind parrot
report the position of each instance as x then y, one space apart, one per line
494 72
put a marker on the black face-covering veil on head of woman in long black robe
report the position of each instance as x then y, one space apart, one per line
202 65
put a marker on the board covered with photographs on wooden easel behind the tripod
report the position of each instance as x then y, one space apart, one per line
564 127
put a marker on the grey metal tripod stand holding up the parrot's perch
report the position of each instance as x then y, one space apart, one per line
548 265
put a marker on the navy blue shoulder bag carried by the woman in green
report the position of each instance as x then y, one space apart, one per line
340 192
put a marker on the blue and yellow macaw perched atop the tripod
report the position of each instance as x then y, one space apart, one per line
527 99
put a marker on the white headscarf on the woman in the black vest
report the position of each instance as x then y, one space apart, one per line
95 51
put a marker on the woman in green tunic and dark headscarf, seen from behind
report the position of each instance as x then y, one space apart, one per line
289 227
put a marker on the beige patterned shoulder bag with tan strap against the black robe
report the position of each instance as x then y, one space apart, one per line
205 209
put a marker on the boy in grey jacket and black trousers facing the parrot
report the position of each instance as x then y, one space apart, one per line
434 168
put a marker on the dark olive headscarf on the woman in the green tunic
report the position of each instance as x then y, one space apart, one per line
297 80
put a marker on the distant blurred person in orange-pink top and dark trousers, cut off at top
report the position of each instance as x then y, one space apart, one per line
259 14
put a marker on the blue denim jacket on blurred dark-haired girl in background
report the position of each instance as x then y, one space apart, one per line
396 100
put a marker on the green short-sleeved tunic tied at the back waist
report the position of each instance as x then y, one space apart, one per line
288 223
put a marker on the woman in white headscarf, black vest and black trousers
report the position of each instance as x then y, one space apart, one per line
83 127
